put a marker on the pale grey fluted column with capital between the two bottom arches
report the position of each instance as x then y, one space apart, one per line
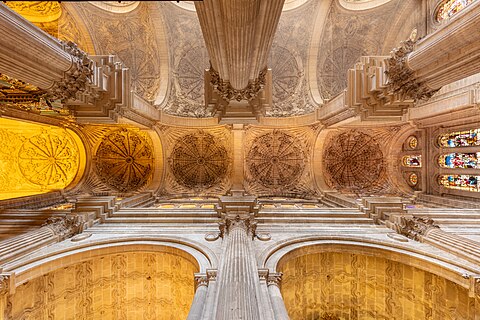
238 283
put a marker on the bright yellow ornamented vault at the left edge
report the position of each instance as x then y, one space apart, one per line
37 158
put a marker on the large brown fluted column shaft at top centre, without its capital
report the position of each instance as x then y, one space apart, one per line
238 35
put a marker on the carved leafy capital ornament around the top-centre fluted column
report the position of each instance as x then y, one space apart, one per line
228 93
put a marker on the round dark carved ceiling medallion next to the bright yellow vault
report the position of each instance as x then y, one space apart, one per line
124 160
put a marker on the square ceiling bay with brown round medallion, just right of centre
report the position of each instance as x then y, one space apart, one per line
278 162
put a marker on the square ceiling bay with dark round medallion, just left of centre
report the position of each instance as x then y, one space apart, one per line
199 160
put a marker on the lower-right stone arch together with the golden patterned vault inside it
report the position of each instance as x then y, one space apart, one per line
338 275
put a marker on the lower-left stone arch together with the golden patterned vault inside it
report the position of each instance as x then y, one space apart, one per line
128 279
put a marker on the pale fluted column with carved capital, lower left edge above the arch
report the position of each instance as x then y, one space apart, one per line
55 229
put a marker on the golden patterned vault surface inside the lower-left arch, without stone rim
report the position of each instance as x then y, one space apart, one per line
136 285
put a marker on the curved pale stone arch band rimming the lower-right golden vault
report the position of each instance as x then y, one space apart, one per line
276 255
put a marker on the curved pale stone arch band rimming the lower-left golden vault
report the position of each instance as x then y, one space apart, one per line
38 265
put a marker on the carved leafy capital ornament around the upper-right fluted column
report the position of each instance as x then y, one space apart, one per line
401 79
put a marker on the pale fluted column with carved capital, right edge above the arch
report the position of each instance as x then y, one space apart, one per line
426 231
